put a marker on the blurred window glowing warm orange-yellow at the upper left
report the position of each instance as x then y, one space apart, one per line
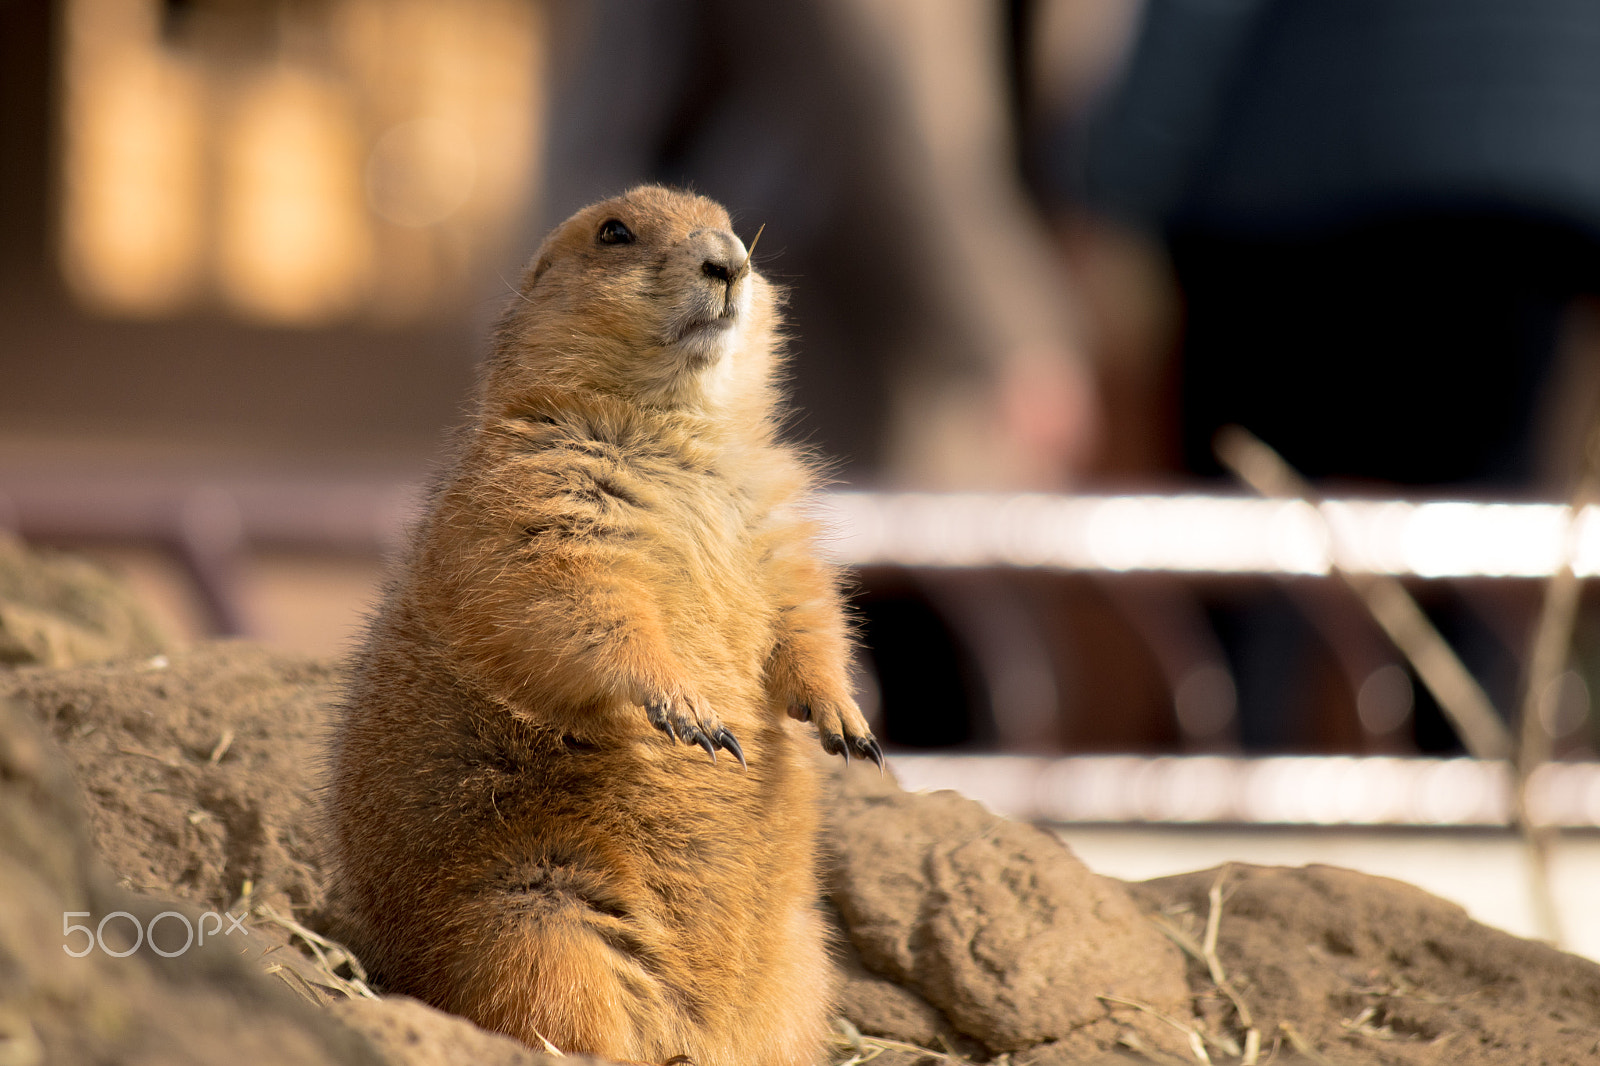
303 162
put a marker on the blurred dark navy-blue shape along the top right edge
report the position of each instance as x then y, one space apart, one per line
1268 118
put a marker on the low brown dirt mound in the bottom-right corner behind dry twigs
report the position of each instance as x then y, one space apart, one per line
1375 971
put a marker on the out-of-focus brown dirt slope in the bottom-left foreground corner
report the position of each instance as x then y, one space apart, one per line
201 1006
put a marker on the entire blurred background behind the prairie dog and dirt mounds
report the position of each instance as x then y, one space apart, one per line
252 250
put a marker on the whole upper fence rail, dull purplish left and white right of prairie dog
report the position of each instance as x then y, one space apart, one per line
1164 534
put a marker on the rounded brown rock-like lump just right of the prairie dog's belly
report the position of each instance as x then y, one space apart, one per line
998 924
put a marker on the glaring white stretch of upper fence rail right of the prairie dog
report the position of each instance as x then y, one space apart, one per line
1196 534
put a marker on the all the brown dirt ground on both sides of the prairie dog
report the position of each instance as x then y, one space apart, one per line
186 782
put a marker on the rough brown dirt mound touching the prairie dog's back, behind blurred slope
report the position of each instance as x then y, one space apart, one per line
201 767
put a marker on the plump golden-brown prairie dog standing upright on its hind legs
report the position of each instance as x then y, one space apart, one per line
615 582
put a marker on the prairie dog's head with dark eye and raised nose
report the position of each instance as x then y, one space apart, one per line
649 295
